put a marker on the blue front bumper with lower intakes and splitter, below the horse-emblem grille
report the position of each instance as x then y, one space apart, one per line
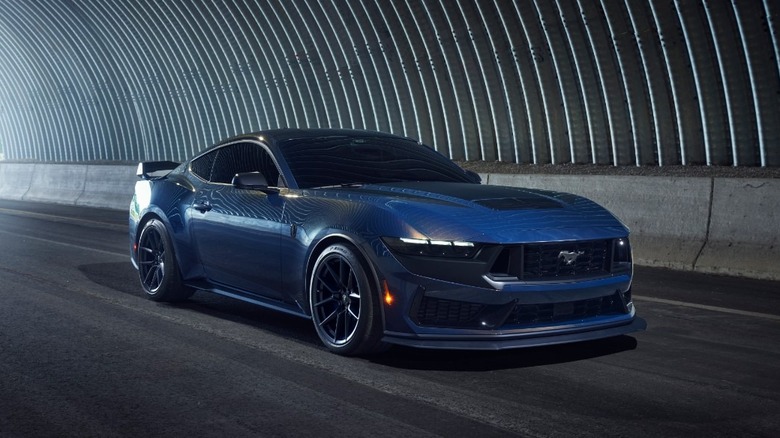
431 313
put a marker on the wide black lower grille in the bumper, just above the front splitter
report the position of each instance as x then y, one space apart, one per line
525 314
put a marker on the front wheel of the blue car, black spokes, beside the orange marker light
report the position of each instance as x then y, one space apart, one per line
344 302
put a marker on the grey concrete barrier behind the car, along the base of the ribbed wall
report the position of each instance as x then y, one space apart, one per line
713 225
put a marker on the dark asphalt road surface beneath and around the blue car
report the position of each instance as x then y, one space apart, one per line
83 353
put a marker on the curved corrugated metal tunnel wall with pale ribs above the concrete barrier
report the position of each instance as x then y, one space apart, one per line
623 82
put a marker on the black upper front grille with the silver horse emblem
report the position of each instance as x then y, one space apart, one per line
554 261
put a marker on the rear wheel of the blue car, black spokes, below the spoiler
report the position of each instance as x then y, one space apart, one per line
157 266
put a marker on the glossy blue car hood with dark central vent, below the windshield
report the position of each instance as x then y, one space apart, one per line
484 213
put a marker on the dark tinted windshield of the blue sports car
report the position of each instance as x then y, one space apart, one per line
344 160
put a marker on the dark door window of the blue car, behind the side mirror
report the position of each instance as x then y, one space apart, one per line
243 157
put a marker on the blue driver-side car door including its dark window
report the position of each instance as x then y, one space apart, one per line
237 232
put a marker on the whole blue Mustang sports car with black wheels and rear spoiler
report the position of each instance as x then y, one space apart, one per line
380 240
